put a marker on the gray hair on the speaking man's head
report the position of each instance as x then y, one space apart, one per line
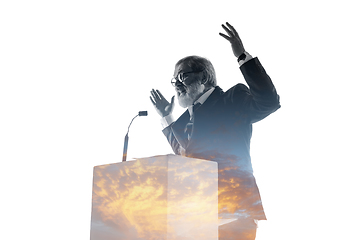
197 63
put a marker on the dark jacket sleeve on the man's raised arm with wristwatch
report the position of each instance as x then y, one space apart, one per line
262 98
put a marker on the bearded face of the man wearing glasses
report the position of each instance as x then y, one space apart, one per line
192 88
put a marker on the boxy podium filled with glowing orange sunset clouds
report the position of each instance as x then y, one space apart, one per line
162 197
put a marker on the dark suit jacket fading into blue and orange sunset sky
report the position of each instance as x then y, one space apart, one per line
222 131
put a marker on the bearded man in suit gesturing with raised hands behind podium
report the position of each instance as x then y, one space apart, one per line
217 126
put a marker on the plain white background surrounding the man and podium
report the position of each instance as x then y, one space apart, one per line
74 73
